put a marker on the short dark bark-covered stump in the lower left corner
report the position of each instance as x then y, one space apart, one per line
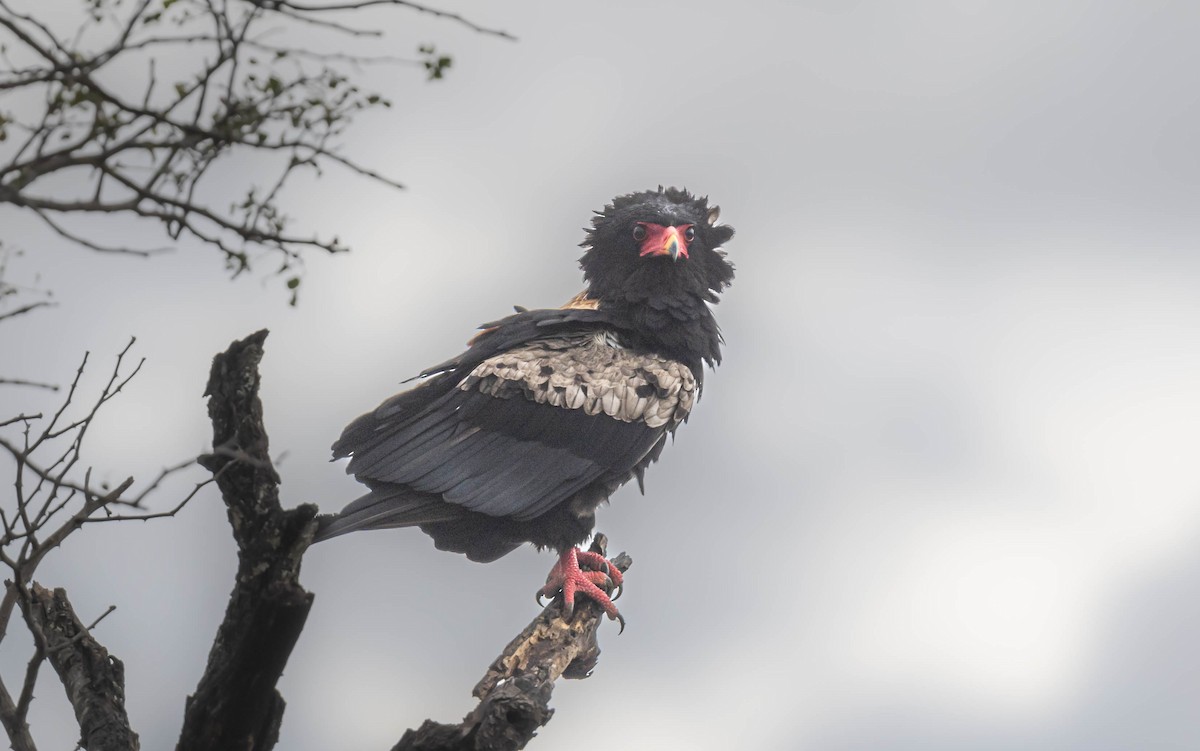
93 678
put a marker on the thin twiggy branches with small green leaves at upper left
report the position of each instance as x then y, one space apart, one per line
99 143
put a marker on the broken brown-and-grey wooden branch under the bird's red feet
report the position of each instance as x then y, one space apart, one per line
514 694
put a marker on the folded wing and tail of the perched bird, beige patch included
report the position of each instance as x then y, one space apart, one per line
513 434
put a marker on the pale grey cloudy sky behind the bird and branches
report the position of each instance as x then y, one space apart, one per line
943 494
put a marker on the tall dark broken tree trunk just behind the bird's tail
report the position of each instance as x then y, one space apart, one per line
236 707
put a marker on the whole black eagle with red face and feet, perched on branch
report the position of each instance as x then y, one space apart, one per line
523 436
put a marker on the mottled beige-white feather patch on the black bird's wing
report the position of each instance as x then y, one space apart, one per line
595 375
